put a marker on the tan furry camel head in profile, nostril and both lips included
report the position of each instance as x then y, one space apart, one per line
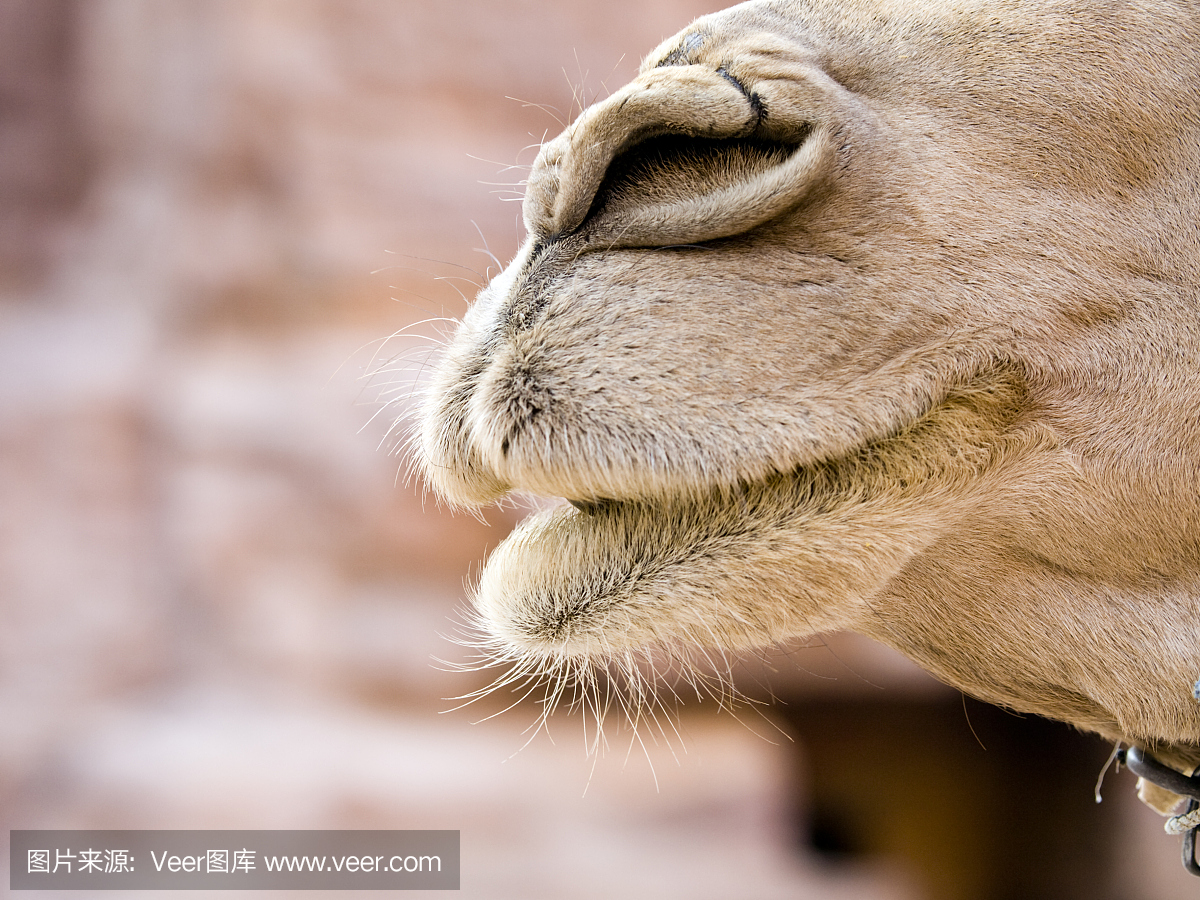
873 316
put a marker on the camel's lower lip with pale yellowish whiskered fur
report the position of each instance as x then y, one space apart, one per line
731 567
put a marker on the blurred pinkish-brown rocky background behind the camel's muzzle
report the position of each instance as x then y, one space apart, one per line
223 598
